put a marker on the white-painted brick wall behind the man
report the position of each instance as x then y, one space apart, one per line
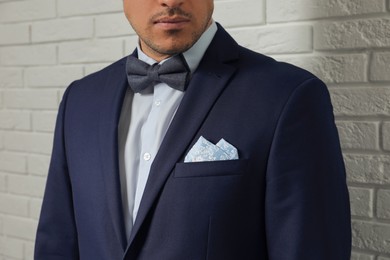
46 44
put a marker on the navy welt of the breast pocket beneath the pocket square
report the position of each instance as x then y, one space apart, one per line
209 169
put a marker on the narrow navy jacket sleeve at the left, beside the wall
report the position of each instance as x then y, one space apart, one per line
56 237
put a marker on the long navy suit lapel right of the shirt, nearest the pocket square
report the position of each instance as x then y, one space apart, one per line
206 85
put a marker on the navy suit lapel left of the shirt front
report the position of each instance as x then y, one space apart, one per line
112 97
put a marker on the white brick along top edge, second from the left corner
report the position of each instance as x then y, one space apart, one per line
75 7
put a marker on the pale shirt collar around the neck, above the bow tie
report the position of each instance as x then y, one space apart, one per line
194 55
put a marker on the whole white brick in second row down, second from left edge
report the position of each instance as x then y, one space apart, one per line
62 30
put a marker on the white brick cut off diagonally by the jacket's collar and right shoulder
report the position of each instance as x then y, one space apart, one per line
275 39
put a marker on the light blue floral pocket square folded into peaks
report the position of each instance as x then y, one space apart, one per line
205 151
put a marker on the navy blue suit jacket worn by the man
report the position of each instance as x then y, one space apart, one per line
285 198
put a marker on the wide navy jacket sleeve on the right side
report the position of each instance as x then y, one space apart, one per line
307 202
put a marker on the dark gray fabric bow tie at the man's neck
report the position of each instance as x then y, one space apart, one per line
173 72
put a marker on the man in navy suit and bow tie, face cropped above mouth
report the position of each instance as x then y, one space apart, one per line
215 153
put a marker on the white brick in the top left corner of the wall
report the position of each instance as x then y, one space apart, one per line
16 11
